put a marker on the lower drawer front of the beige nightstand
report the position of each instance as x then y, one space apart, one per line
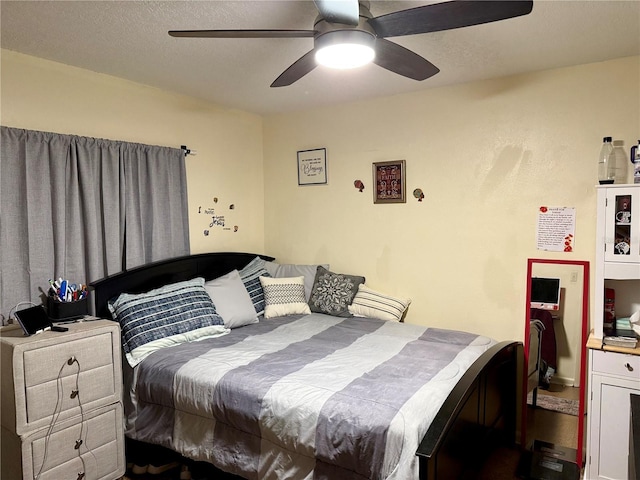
100 456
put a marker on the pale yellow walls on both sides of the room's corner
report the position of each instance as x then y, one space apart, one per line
487 155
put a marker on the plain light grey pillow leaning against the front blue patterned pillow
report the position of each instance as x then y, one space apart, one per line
232 300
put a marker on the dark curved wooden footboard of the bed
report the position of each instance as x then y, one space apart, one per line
478 416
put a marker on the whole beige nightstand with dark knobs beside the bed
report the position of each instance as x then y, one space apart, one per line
62 403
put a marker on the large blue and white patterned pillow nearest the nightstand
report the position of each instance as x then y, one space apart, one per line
170 315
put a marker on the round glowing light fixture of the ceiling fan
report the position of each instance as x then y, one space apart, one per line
344 49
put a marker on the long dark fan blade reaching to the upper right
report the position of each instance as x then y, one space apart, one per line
447 15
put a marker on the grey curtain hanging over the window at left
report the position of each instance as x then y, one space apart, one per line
84 208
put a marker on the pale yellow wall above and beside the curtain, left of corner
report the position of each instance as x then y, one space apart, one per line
41 95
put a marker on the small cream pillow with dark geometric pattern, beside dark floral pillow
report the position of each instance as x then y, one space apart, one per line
284 296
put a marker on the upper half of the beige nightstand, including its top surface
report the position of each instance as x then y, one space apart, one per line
42 373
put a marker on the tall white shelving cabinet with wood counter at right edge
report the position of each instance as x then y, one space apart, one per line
614 372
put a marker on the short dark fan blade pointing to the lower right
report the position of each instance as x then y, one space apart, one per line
402 61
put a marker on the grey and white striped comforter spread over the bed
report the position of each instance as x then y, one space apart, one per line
302 397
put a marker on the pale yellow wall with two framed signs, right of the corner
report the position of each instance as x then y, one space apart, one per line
487 155
